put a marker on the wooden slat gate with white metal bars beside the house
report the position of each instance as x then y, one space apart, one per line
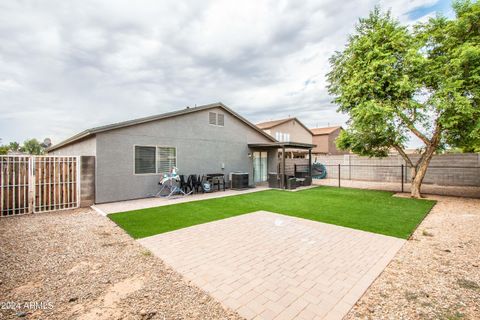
38 184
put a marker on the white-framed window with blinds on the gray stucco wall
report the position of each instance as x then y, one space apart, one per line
151 159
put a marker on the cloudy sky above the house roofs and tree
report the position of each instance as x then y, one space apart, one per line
70 65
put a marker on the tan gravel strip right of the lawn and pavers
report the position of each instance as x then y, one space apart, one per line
436 275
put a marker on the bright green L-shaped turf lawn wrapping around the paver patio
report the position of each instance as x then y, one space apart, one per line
374 211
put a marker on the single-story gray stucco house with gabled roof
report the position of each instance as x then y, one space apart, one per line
131 156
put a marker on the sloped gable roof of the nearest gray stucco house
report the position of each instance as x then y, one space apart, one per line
91 132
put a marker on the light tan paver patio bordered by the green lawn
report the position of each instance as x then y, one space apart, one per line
270 266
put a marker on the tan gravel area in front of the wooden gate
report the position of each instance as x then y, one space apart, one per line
79 265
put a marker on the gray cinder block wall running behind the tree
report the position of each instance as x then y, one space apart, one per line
461 169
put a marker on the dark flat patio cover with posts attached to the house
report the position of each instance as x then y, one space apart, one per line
283 147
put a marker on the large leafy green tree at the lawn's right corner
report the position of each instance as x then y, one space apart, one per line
395 82
